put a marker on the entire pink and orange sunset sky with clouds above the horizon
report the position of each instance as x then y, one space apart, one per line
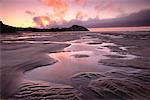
64 13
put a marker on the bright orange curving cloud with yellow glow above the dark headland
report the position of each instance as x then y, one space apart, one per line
60 8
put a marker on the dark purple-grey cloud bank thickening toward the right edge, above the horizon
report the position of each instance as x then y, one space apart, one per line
140 18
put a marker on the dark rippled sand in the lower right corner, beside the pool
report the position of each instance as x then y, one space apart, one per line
115 84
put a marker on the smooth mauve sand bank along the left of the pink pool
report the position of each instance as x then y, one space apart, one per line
26 56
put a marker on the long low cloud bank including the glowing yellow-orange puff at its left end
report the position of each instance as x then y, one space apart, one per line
140 18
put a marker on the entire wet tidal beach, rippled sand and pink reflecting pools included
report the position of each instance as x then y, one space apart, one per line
74 66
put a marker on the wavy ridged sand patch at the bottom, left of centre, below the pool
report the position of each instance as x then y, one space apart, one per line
32 90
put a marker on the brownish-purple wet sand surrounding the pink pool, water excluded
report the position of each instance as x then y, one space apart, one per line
20 57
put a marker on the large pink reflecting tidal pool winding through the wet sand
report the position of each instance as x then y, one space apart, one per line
78 57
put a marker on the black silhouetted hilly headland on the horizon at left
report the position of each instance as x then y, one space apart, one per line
11 29
